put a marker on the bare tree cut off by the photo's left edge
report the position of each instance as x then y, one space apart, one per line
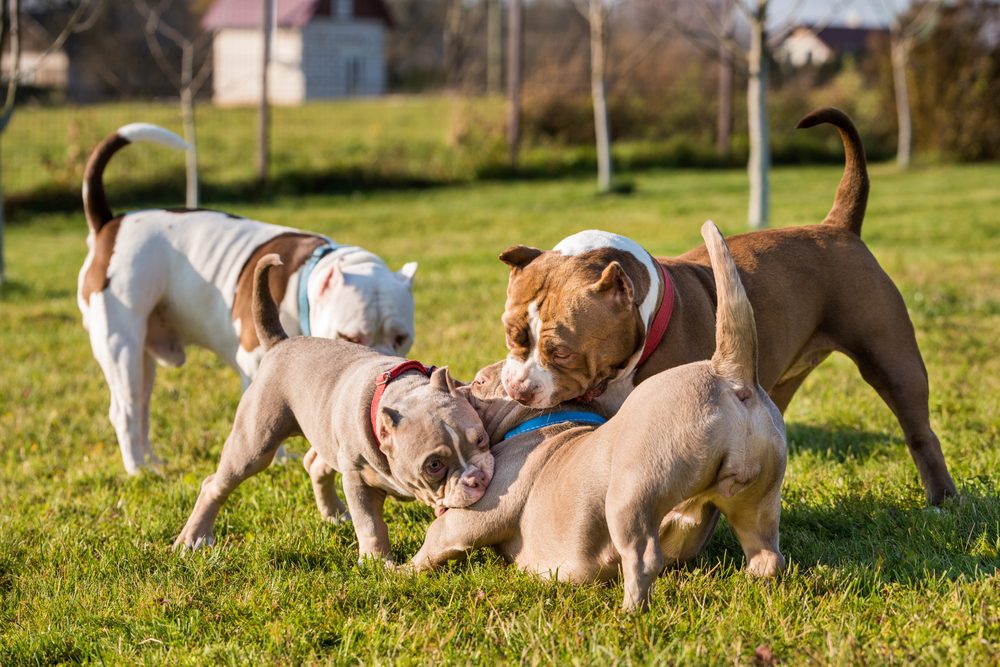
82 18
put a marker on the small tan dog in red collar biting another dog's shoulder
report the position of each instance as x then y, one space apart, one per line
381 422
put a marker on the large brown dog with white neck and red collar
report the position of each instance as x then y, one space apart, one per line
599 315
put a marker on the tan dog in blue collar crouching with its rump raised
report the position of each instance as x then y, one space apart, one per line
644 489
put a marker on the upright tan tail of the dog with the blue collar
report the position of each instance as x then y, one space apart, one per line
735 357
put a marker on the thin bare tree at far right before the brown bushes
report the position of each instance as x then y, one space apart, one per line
905 28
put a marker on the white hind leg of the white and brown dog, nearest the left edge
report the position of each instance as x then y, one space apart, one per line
116 338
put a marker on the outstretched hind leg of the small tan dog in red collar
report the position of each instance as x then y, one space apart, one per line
257 432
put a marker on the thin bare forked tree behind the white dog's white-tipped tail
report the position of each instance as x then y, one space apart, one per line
188 81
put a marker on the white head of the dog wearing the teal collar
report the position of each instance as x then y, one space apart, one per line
357 298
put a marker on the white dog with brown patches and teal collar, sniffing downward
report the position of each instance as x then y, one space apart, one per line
155 281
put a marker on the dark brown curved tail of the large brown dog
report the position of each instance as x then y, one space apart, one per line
852 195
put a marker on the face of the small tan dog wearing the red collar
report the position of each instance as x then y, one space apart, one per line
436 445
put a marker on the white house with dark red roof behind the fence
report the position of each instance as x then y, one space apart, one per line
321 49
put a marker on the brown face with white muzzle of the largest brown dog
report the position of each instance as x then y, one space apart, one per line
571 322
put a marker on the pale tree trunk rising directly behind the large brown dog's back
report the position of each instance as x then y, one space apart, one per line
759 163
